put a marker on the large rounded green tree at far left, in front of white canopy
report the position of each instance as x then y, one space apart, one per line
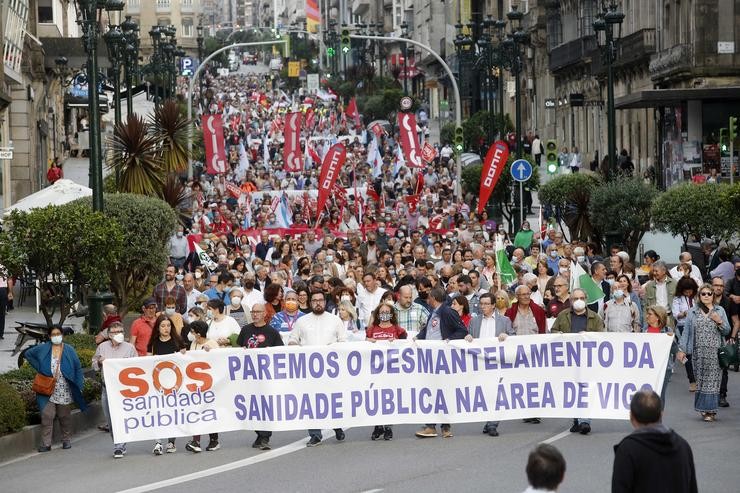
61 244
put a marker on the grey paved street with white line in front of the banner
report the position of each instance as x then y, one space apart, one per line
470 461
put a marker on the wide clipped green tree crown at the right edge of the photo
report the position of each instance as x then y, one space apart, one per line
692 210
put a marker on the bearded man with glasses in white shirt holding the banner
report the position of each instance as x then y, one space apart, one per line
318 328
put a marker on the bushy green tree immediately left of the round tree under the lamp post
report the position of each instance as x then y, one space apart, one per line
570 195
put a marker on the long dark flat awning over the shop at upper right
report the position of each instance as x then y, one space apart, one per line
654 98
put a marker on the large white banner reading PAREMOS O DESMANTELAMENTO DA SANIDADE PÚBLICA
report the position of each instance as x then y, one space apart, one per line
589 375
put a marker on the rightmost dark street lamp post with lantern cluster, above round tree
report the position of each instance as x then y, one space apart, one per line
608 29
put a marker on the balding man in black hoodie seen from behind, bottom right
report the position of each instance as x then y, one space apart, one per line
653 458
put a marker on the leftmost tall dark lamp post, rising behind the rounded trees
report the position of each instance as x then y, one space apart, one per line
88 12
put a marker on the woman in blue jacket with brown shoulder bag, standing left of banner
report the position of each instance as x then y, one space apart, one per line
58 361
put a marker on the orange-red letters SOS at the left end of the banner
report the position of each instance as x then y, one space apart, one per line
138 381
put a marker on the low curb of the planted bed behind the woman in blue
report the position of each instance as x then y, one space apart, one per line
28 439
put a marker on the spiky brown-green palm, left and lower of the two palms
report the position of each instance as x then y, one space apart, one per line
133 155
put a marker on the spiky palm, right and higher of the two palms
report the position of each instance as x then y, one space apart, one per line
170 129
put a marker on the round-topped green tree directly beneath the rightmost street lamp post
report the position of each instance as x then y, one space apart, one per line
622 208
